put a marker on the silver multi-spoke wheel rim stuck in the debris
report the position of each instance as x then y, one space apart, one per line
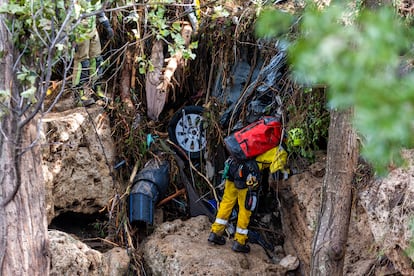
189 133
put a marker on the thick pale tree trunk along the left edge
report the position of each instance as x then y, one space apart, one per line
23 225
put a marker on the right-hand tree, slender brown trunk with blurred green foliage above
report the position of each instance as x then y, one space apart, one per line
358 54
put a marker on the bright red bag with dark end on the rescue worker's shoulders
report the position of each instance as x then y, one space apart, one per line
254 139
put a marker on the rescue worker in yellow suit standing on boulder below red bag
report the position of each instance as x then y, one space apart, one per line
243 178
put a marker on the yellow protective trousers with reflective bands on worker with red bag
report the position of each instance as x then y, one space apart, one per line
230 197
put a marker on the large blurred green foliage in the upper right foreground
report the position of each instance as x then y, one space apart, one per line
358 54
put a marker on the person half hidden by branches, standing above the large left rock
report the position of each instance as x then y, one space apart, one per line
87 64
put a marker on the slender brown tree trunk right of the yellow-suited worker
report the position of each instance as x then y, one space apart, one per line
331 234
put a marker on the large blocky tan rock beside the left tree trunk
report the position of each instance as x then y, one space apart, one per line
77 159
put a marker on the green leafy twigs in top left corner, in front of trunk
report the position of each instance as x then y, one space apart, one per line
39 31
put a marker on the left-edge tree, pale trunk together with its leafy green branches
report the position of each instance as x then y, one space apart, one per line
35 36
